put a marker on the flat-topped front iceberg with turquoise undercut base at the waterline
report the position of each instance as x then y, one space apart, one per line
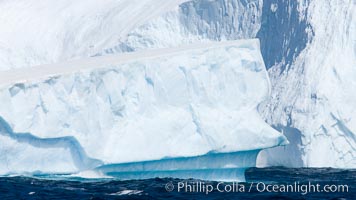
188 111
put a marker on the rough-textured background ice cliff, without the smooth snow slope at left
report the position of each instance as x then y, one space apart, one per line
309 50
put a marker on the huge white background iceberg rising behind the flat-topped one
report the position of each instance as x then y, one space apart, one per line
315 112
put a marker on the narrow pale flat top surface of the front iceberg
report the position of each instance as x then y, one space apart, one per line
40 72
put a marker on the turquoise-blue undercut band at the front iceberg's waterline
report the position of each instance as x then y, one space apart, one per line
212 166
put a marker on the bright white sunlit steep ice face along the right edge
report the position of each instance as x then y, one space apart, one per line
316 95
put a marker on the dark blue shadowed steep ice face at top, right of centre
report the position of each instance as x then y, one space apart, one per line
284 33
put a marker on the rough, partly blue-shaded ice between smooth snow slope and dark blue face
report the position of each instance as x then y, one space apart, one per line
195 21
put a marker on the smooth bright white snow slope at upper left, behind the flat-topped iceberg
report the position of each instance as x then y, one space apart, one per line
37 32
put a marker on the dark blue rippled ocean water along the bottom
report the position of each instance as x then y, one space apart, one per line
303 181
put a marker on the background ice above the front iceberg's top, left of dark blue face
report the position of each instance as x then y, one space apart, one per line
42 32
